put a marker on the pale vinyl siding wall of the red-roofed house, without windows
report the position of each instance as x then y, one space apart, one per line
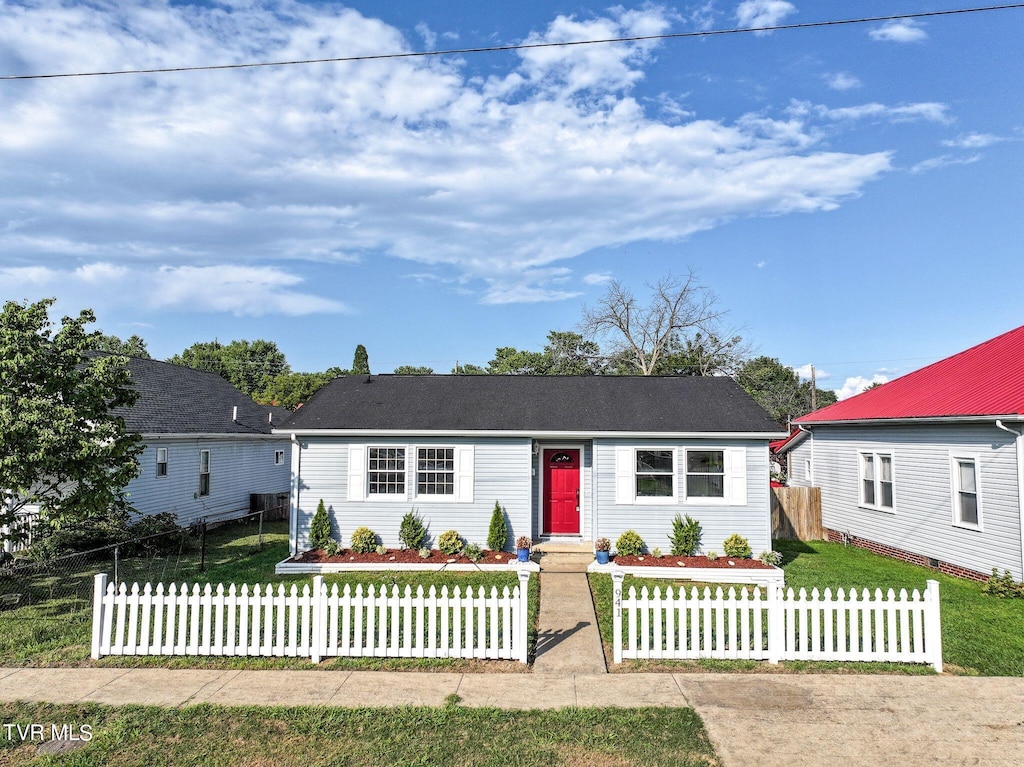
924 523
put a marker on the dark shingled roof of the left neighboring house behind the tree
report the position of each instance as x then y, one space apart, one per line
176 400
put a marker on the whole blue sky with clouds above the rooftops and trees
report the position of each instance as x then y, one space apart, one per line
852 194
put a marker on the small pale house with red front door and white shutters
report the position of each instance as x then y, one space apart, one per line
568 457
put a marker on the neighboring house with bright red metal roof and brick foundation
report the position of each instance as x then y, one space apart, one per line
928 467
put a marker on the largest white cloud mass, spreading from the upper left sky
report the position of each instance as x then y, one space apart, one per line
492 182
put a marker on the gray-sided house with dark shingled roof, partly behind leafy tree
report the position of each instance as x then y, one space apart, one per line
208 446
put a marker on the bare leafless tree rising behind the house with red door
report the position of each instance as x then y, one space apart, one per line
639 335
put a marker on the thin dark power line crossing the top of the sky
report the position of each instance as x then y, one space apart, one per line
522 47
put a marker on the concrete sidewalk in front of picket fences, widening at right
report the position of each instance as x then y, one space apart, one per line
764 719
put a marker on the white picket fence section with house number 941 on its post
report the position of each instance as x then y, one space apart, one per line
778 625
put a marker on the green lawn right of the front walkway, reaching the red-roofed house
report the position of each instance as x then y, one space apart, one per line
982 635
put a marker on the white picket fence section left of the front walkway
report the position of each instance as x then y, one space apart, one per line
317 622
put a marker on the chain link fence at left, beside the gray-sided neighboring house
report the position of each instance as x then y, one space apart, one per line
61 588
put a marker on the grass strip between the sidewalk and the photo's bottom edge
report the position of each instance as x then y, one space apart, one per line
448 736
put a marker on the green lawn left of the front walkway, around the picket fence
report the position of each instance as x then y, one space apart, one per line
59 633
